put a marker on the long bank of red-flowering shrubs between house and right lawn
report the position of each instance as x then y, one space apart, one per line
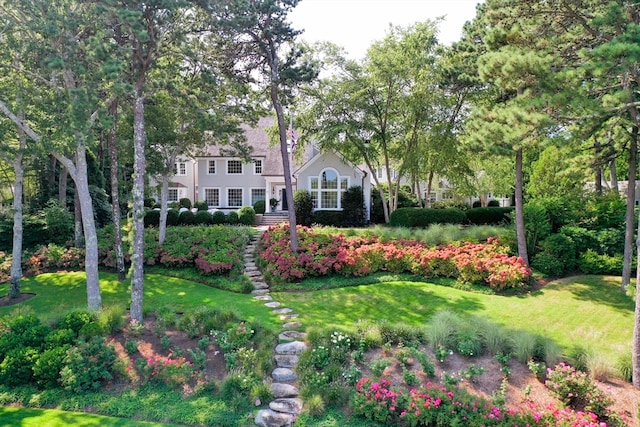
322 254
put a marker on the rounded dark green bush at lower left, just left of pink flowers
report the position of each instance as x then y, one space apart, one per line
88 365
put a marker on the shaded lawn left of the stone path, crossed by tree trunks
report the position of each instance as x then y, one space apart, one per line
57 293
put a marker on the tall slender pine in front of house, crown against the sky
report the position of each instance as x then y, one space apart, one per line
258 46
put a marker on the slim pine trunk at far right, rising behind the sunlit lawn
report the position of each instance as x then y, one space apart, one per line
630 212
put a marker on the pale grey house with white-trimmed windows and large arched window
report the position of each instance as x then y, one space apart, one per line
228 183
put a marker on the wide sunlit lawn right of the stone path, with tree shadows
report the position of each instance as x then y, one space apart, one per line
584 310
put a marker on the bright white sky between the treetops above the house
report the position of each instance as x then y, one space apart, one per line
355 24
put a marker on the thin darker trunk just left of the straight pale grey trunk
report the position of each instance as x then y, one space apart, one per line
115 194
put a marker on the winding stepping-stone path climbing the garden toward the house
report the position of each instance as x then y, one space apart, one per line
286 406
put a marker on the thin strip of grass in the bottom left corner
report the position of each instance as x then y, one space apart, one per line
12 416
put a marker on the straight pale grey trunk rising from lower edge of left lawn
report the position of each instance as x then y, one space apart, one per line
137 245
